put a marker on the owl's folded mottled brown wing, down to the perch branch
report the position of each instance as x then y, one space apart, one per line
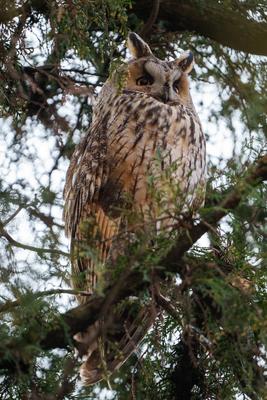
91 229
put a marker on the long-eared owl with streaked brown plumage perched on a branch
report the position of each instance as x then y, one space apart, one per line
144 129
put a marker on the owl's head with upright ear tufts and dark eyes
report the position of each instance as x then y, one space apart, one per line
166 81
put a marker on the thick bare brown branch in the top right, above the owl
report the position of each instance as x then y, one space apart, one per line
213 20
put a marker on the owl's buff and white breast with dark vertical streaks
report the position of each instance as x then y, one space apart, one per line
149 141
